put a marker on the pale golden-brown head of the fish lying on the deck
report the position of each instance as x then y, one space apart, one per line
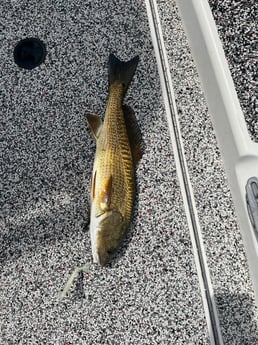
107 236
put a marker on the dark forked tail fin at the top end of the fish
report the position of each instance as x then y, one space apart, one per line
120 71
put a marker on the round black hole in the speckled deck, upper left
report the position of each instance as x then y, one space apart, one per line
29 53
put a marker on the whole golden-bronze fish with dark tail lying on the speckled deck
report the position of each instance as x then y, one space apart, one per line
119 147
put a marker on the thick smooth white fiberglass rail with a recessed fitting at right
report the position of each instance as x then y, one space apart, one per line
239 152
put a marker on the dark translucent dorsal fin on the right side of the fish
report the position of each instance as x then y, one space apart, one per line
134 134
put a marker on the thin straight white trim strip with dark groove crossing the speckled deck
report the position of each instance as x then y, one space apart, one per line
183 176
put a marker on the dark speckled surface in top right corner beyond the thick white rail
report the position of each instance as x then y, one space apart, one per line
237 25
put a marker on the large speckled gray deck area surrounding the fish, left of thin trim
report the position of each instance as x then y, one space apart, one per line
150 294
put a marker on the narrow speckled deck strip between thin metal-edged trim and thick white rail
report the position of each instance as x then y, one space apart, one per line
224 248
